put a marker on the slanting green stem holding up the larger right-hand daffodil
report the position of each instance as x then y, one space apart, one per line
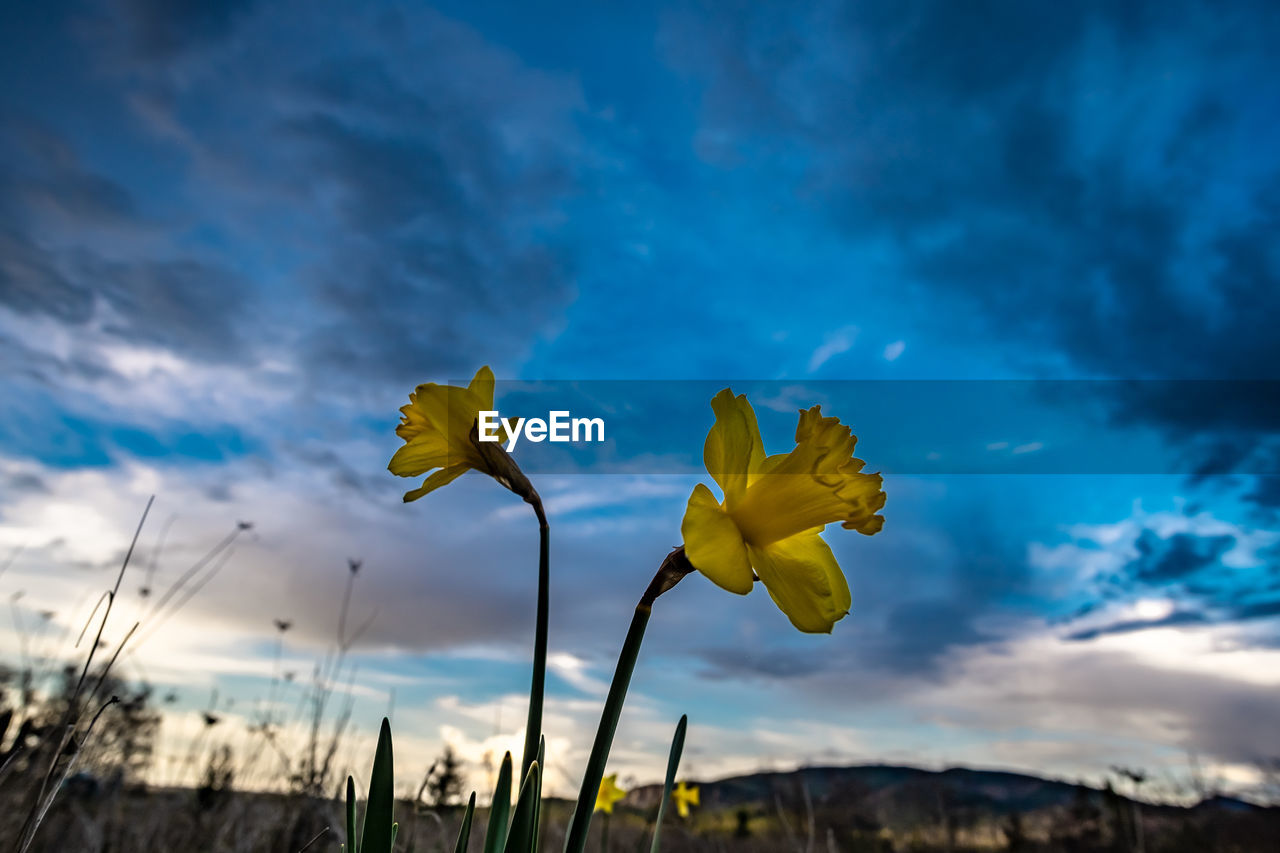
670 574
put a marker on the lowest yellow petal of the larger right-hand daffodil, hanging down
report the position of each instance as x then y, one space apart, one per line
804 581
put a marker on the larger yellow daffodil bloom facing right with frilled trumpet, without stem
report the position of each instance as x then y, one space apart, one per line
775 509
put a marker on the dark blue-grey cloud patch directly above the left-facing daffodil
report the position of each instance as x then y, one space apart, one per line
435 254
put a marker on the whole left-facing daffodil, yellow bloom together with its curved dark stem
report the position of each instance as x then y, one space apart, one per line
442 439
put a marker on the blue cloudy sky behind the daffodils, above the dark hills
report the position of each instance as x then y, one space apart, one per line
234 236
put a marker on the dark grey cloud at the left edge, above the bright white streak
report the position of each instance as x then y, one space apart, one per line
58 223
